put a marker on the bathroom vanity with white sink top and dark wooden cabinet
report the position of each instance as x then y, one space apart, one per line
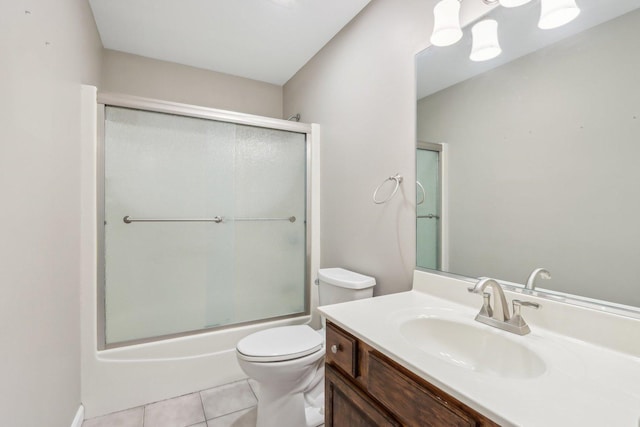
419 358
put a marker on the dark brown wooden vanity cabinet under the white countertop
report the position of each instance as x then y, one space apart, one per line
364 388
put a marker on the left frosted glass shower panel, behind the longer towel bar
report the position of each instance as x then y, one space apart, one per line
167 277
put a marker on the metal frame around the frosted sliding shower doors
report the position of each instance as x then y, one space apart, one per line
152 105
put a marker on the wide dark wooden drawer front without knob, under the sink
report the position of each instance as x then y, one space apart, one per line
412 402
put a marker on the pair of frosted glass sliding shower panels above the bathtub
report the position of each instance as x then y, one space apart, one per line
204 224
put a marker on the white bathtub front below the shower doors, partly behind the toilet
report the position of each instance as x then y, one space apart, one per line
126 377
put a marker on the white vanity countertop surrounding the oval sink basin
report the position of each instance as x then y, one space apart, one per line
583 384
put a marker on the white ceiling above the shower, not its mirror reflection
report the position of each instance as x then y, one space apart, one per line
266 40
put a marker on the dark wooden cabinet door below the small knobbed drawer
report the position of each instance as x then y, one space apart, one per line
347 406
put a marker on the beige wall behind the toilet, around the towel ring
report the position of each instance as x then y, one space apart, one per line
361 89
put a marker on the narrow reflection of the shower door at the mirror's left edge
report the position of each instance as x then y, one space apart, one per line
428 205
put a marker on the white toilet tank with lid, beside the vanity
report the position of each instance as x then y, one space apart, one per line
339 285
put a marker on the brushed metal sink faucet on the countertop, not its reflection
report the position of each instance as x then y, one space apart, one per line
498 314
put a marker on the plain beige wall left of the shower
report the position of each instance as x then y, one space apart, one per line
45 55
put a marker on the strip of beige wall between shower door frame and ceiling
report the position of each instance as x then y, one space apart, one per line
151 78
